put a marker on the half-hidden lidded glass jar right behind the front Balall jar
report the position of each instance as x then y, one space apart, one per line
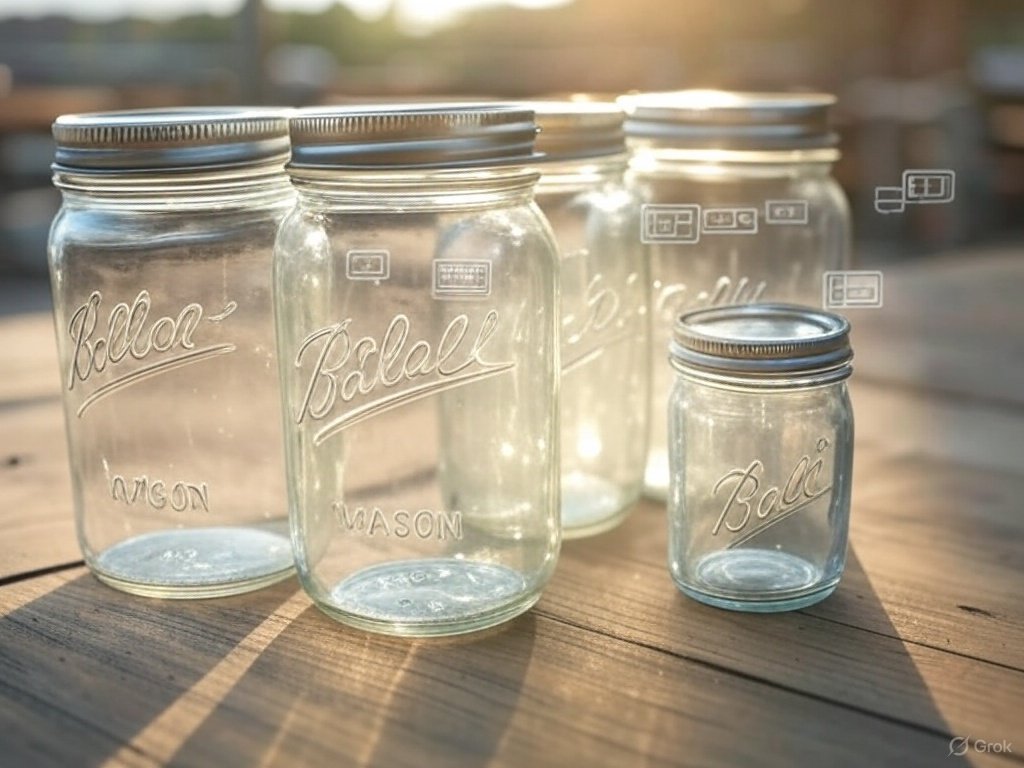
604 408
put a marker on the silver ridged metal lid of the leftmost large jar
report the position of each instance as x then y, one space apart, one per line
170 140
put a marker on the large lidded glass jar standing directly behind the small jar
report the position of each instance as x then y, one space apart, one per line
739 207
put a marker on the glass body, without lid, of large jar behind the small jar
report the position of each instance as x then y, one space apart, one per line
750 228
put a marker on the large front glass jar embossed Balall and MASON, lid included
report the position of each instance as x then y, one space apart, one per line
416 290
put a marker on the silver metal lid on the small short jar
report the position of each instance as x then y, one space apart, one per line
762 340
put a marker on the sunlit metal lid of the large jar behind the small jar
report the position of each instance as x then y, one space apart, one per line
728 120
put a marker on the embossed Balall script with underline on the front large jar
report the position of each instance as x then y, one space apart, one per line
391 371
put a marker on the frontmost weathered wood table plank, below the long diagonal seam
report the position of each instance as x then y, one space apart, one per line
90 676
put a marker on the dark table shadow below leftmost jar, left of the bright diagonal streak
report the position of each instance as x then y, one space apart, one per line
86 669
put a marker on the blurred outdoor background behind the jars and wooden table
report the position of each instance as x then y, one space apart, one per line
922 83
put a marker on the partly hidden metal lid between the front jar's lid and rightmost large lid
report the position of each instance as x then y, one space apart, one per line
576 131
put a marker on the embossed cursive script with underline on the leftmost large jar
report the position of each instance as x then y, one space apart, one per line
131 335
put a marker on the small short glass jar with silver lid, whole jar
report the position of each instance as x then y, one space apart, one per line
761 456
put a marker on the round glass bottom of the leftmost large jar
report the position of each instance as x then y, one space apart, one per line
190 564
